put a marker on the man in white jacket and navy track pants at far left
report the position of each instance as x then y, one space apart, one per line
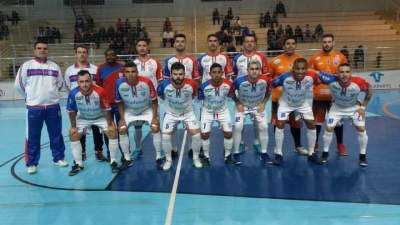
39 80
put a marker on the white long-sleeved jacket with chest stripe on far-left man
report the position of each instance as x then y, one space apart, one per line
40 82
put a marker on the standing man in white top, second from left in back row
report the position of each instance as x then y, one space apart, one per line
71 81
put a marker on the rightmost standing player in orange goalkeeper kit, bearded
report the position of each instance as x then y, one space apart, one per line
327 60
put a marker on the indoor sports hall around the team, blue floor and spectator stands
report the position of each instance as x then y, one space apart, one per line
297 192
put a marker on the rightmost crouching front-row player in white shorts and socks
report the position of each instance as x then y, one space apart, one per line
345 90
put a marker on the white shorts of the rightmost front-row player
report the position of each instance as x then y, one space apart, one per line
337 113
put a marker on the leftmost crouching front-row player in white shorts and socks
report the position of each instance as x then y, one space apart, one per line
87 105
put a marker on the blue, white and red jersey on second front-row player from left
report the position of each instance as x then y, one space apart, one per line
136 97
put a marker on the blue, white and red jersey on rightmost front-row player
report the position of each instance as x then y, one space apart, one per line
344 96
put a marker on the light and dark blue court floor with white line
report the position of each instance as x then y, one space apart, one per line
295 193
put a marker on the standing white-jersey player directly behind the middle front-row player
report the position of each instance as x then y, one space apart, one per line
214 56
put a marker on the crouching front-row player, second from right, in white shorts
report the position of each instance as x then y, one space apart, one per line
295 87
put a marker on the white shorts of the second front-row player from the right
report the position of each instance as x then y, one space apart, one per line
304 110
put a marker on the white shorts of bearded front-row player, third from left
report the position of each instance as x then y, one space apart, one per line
170 121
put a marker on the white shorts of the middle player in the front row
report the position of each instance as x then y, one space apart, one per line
223 118
